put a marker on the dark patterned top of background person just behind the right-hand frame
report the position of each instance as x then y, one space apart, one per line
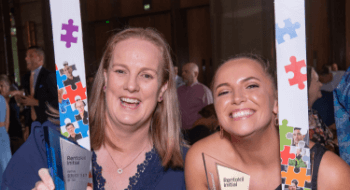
319 132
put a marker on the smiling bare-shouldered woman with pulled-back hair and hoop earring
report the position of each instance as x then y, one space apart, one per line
245 101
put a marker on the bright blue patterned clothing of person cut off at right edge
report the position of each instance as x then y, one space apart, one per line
342 115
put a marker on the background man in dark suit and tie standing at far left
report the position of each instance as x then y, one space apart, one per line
40 89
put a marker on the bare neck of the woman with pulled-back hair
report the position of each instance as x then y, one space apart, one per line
262 148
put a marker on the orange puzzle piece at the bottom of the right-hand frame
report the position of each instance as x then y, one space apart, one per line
301 176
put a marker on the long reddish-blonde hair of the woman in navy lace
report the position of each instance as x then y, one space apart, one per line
165 129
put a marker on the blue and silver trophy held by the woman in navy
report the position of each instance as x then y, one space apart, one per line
69 163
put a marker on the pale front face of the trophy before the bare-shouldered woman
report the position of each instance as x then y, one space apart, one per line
232 179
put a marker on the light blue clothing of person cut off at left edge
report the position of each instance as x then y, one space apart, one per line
5 150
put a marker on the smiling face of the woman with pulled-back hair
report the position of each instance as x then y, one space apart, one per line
244 97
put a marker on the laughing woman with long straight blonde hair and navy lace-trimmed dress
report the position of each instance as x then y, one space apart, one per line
134 118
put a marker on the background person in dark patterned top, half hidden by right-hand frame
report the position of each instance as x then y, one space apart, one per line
318 130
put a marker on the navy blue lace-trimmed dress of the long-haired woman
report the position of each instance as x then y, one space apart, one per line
22 171
